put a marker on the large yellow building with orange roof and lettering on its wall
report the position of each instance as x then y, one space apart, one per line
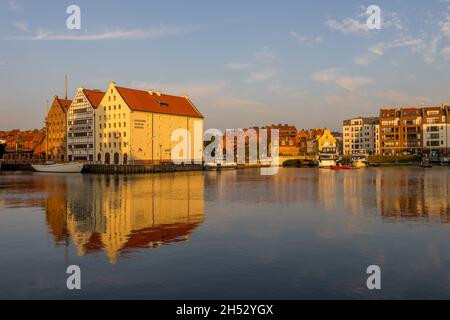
135 126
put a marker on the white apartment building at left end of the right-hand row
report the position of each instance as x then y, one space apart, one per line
361 135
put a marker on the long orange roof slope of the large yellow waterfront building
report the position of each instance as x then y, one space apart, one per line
139 100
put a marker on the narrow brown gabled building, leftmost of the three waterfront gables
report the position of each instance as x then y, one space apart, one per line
56 126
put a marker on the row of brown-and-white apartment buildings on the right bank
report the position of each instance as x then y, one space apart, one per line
399 131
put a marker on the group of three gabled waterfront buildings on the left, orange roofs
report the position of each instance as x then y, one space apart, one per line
121 126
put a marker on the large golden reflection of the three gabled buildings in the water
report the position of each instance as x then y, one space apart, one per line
117 214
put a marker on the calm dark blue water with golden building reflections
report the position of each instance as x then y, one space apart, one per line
303 233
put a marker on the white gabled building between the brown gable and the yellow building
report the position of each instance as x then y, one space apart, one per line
81 136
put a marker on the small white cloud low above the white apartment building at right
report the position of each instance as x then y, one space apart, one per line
333 76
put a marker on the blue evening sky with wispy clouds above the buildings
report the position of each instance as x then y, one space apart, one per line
243 63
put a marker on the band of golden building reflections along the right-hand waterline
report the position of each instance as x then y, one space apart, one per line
393 193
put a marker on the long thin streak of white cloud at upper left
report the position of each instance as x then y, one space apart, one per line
157 32
